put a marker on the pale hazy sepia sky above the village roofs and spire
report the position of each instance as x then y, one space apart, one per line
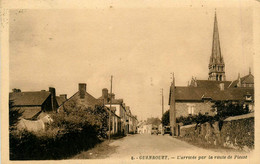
140 47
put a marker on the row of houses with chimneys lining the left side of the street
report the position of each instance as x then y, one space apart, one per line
32 104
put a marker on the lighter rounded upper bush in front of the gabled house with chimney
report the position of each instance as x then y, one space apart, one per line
77 117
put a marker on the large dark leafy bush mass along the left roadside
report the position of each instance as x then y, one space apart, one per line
74 130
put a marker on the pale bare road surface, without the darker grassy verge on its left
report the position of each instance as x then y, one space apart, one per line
134 146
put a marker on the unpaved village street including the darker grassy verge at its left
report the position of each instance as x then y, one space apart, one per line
145 145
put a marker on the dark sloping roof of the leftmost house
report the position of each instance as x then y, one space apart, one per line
28 98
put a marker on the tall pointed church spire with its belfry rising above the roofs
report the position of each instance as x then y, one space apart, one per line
216 62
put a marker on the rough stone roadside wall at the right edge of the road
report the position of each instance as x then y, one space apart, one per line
235 132
